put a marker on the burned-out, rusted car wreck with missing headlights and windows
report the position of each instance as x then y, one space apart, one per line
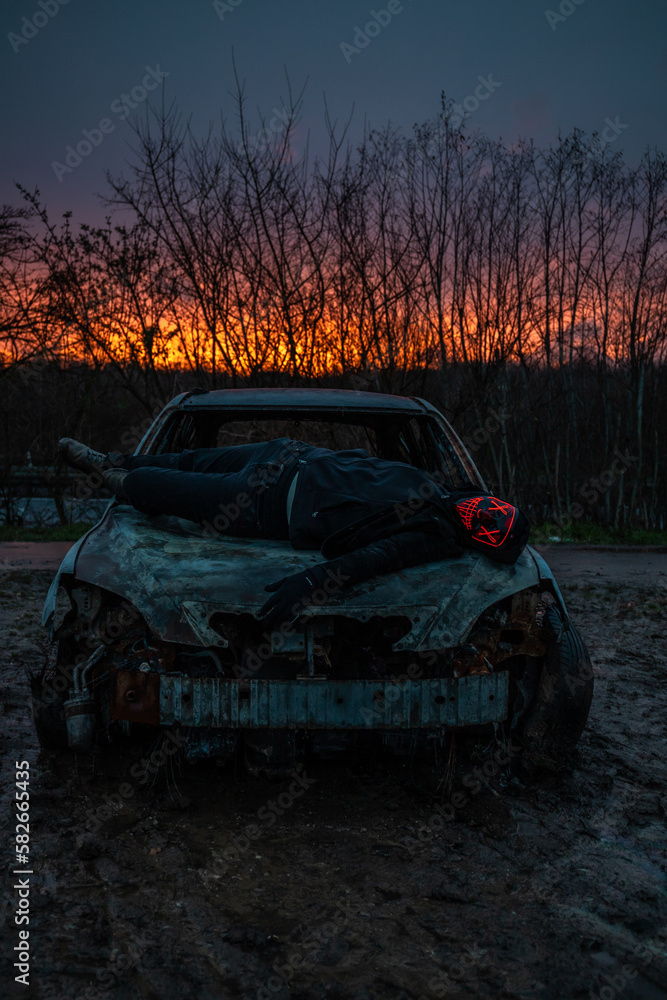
159 624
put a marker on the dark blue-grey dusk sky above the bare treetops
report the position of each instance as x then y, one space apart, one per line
536 69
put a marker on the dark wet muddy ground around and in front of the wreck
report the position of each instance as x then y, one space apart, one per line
202 883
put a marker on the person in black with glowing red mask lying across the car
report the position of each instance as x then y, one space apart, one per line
366 515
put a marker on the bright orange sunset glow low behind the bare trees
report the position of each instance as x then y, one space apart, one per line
181 340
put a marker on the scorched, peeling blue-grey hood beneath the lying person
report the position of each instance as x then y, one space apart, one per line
177 576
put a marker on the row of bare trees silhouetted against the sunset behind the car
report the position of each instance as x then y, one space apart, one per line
522 290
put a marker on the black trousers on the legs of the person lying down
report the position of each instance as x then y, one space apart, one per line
241 490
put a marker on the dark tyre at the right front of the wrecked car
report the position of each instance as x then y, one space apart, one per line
558 712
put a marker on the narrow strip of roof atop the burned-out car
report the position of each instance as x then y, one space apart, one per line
307 399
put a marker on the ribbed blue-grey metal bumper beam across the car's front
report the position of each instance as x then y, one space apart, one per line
319 703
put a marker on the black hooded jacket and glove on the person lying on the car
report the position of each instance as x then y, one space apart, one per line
371 517
